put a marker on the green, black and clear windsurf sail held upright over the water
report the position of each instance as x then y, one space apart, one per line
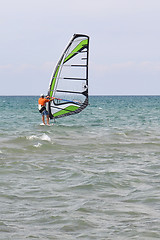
69 81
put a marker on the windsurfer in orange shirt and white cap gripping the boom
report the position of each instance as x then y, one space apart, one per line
42 107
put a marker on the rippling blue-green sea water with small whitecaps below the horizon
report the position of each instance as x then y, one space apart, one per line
95 175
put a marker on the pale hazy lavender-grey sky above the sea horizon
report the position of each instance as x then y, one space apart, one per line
124 35
